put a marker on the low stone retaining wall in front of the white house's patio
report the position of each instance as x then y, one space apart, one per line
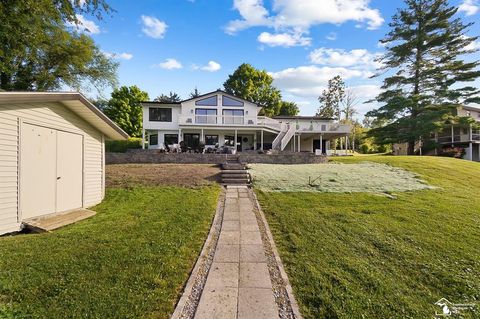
154 156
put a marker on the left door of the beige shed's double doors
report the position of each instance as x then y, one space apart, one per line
37 170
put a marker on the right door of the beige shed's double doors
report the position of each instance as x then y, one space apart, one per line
69 171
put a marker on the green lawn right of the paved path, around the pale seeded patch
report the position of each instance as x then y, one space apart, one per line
361 255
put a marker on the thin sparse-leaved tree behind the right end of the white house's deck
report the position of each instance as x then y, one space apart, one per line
331 98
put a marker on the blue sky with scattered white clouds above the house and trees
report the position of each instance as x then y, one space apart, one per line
177 45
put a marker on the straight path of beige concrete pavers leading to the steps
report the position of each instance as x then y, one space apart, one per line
238 283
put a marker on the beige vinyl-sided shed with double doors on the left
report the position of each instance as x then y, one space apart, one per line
51 155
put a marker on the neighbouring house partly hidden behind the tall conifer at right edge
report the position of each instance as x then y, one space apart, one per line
464 137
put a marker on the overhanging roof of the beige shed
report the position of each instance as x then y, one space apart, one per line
74 101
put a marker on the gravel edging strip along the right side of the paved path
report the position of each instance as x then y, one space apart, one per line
282 290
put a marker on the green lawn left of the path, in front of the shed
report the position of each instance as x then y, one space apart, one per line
129 261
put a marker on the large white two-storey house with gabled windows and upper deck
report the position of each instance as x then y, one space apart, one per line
218 118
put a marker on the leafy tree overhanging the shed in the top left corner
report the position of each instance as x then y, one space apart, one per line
40 50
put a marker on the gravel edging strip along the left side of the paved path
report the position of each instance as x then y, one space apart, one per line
187 305
